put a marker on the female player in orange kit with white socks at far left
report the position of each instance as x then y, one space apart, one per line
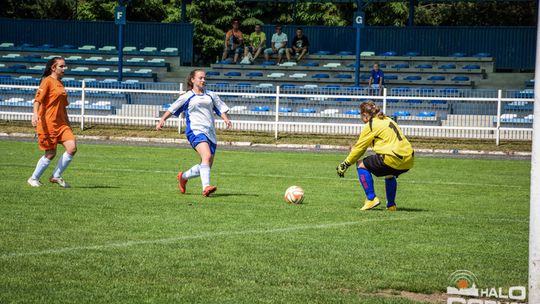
52 124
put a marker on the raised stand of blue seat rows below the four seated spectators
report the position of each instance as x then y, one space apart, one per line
411 69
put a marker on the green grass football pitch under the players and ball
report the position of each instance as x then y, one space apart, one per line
124 234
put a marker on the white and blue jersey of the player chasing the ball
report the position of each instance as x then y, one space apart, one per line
198 110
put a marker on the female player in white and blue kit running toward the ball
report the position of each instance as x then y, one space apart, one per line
198 104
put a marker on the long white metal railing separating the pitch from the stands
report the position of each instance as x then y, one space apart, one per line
464 114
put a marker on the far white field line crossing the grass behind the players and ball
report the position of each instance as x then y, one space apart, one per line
407 181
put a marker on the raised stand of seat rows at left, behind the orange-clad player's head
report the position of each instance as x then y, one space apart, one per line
146 64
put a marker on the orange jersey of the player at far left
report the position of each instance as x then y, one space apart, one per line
52 98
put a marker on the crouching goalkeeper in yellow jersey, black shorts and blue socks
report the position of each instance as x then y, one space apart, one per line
394 155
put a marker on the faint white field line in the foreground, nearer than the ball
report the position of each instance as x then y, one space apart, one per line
204 235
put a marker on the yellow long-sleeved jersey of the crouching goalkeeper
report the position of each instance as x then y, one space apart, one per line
387 139
